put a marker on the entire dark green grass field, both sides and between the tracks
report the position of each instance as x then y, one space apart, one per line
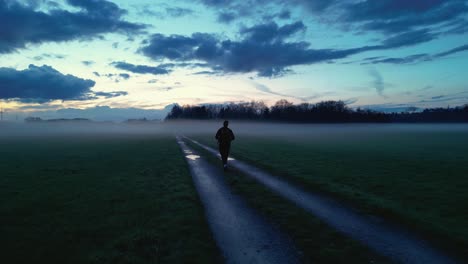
110 196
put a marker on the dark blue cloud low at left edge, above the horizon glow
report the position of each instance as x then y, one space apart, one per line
42 84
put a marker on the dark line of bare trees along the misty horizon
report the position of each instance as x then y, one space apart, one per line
322 112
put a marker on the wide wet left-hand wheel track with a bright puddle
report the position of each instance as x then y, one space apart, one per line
241 234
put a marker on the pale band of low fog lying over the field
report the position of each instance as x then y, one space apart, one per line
284 130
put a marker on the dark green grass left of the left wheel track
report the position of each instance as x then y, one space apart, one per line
99 199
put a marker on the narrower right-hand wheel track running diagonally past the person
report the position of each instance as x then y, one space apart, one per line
384 238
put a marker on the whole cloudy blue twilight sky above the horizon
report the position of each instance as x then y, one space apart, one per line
110 59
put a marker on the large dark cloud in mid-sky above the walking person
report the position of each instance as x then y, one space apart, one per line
268 49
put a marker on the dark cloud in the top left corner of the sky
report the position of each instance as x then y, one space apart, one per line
24 24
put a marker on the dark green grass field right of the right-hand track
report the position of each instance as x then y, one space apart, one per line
418 179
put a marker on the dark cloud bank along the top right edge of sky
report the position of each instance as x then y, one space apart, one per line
389 17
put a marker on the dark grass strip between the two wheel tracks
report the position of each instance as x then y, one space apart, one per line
317 242
